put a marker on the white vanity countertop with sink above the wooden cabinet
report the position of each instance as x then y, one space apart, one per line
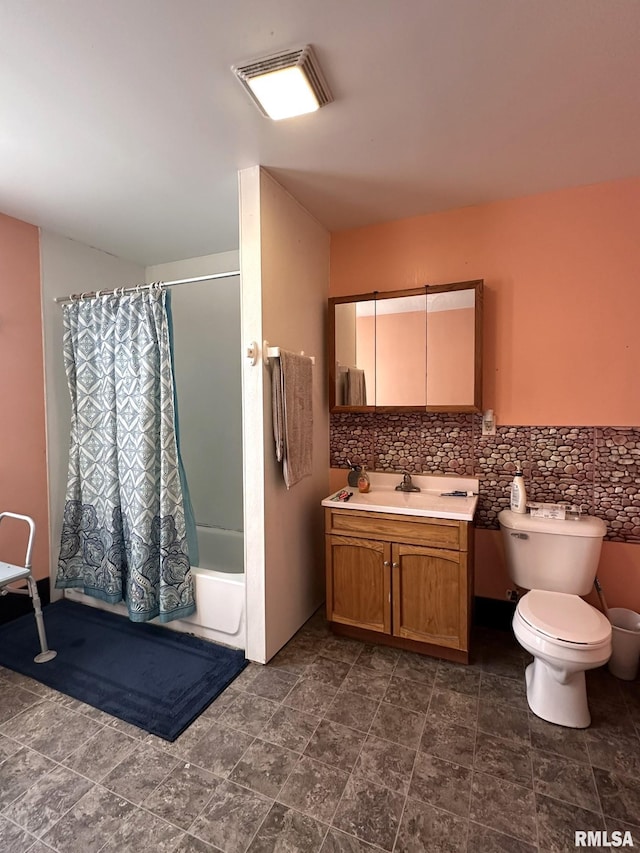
428 502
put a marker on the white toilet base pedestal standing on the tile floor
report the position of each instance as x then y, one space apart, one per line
562 704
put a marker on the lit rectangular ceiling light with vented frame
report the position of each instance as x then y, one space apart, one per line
285 84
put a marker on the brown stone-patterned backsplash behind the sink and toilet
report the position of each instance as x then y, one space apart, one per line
597 467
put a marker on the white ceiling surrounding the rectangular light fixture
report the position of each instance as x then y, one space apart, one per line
122 126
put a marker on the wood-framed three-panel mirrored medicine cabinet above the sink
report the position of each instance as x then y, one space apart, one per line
418 349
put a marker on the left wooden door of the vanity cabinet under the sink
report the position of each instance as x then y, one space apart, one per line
359 583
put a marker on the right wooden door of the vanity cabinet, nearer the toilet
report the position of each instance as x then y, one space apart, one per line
430 595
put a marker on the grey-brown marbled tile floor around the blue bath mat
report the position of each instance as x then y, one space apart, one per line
335 746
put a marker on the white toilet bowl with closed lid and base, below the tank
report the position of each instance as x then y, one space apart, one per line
566 637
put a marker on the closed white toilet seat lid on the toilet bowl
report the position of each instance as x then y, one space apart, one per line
564 618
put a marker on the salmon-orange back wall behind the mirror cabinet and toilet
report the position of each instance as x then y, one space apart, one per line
561 317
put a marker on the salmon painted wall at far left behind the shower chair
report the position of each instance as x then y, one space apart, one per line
23 464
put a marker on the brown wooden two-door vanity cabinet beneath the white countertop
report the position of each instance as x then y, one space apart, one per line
400 580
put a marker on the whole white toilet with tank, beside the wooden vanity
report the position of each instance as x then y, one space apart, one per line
557 562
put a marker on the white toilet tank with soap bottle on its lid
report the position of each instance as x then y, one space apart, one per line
545 553
